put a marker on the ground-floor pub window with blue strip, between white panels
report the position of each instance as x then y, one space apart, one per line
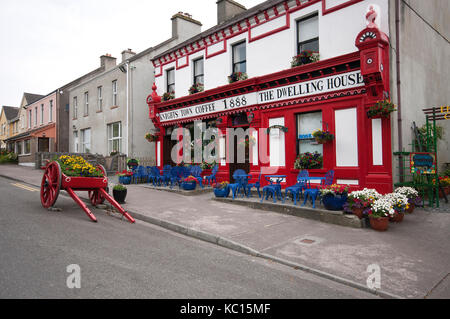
307 123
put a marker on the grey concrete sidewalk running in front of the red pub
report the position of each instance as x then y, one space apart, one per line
414 256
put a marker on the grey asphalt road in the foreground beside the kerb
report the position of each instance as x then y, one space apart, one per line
121 260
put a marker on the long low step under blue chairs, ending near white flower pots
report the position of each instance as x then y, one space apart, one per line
322 215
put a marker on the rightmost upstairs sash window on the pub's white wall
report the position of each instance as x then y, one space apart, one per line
308 34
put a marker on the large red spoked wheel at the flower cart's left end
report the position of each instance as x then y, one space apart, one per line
51 184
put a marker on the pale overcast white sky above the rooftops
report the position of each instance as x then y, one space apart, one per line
48 43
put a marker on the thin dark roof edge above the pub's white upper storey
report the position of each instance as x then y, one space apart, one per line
239 17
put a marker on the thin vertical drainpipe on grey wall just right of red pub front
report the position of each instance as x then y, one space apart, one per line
399 96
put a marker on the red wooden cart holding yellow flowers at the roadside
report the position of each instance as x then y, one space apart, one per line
54 180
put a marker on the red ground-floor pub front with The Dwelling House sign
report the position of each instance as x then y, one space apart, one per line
286 106
